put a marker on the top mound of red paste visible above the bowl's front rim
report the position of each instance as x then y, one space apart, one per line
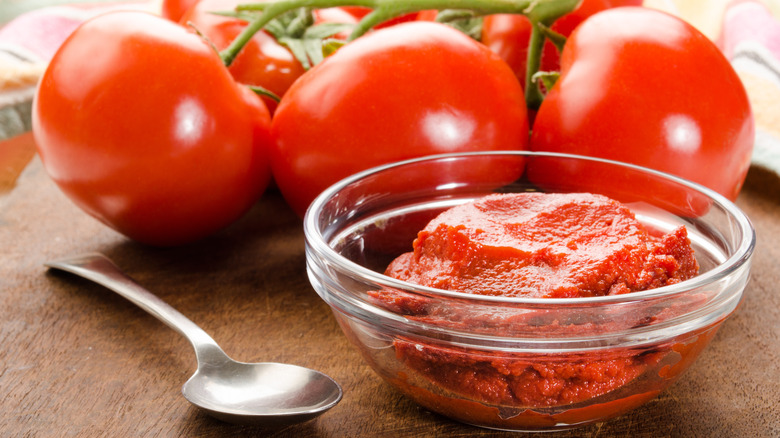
541 245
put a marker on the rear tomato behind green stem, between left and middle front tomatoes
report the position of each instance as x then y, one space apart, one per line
262 61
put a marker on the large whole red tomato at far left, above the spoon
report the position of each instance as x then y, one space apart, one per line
141 125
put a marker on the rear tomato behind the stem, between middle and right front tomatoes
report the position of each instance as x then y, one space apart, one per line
509 34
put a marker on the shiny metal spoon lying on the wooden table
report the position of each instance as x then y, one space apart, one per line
268 394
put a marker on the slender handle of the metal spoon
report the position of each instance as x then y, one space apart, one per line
98 268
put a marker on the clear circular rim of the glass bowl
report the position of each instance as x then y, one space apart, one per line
741 255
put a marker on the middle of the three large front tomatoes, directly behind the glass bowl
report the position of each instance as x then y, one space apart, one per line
392 95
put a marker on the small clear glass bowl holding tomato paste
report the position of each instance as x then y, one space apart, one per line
521 364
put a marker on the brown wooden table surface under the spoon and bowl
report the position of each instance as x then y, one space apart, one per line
77 360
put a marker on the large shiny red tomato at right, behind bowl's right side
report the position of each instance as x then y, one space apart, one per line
640 86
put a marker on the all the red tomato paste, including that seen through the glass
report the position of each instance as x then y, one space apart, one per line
538 246
